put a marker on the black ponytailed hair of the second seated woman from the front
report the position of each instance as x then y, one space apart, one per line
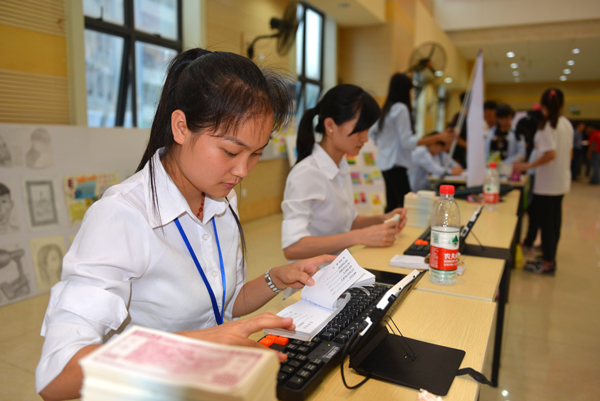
341 103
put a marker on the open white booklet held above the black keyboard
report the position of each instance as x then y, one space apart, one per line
325 299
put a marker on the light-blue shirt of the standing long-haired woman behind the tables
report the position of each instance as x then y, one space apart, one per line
395 141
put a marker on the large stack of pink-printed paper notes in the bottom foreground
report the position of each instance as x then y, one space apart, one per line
151 365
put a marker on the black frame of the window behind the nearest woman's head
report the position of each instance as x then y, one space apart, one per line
130 37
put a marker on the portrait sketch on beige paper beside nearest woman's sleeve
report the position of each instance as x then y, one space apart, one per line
47 254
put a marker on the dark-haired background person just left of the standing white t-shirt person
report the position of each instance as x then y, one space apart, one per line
503 140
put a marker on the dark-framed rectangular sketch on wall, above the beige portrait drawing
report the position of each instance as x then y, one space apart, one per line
41 203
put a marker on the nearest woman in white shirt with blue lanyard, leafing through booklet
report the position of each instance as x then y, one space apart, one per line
165 249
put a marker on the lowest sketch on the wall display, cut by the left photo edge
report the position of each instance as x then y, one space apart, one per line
15 281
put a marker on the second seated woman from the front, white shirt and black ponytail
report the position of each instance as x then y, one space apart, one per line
318 206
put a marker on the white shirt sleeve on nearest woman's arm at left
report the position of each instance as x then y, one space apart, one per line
92 298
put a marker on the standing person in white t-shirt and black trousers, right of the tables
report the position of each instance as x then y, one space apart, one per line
553 145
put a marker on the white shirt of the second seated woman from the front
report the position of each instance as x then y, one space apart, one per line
318 199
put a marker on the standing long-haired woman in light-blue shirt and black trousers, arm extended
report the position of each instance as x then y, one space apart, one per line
394 137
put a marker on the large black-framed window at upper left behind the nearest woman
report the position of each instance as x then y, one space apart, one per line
128 44
